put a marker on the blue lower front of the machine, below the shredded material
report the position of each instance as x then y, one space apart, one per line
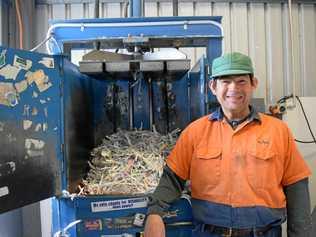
95 224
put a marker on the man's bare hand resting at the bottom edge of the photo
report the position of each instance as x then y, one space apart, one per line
154 226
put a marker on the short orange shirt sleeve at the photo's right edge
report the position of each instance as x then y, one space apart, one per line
295 167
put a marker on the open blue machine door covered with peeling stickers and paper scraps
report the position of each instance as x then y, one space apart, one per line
30 127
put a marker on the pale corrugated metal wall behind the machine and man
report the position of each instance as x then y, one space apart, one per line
257 28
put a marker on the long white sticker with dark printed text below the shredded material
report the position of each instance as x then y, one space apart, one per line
113 205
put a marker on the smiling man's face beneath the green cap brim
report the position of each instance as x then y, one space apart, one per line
234 92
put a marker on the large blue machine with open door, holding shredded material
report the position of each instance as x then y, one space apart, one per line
53 112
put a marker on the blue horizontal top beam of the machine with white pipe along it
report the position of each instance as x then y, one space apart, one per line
85 30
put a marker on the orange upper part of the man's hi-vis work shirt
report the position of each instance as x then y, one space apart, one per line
248 166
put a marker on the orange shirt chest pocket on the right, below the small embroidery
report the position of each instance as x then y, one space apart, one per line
261 168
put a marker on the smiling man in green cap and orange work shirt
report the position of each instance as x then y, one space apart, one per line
247 176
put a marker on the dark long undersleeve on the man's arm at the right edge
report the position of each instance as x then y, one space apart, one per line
299 223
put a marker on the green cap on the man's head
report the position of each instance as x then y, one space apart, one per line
231 64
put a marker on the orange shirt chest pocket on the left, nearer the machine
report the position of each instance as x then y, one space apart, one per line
207 167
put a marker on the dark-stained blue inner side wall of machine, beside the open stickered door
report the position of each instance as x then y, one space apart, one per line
78 132
